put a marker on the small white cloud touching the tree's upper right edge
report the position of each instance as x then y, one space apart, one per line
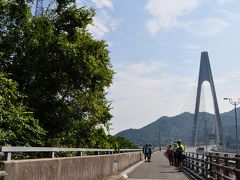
103 24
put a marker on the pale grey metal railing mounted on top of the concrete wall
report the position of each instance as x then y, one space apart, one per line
50 152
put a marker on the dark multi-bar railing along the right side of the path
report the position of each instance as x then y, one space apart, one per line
212 166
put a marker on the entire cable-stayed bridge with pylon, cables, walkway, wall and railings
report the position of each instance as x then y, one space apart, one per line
112 164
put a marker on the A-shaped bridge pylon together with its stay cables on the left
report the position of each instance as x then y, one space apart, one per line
205 130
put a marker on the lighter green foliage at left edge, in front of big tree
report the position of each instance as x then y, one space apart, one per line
18 127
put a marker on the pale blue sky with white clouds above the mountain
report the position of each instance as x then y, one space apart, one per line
155 48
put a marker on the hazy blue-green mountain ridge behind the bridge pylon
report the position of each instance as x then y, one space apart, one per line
181 126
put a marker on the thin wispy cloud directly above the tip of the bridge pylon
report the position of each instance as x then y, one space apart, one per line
206 27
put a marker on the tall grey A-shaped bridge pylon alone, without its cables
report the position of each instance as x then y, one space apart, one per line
205 74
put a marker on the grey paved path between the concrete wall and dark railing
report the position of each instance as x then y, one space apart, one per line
158 168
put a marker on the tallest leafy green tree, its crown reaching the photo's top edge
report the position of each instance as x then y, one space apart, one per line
62 69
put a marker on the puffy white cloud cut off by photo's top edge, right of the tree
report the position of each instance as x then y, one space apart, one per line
165 14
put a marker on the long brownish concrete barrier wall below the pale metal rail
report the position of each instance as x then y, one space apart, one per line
73 168
